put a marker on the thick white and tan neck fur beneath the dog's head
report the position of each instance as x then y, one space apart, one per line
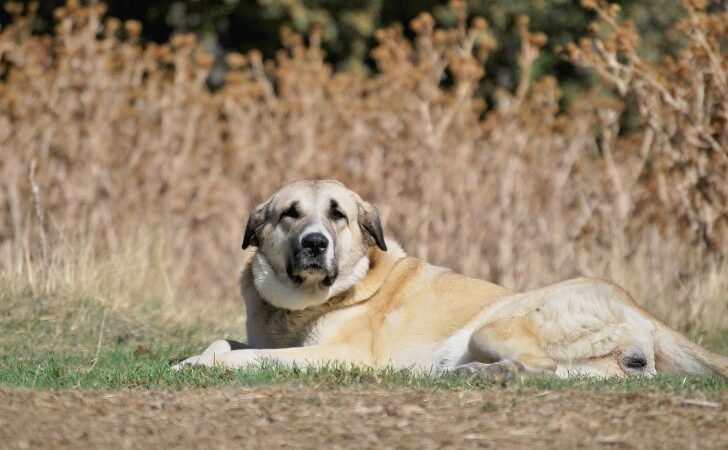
362 282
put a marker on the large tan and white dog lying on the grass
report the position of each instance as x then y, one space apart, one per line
321 284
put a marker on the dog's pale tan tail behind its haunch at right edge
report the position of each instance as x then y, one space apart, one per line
674 353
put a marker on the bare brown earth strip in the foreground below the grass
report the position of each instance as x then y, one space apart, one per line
268 417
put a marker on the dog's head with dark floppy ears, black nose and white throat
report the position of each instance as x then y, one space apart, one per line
312 240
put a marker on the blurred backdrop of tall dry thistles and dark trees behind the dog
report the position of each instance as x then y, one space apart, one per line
114 144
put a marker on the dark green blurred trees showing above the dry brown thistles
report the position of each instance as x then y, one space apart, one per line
348 26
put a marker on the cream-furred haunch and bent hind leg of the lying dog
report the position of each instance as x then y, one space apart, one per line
579 327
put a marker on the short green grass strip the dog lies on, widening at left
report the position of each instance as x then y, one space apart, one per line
59 343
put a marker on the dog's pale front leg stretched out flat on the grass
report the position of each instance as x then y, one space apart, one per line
298 356
